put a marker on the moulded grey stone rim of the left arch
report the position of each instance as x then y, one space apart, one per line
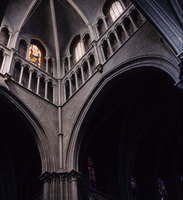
33 126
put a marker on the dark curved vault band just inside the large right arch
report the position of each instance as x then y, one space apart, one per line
113 124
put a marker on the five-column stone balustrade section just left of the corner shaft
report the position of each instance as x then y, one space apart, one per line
33 78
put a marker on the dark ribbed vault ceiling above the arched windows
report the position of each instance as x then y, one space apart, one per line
34 17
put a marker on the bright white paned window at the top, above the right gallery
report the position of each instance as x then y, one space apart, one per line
115 10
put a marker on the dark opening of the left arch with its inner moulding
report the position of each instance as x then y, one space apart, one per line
22 155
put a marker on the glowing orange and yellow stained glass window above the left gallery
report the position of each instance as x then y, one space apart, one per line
34 55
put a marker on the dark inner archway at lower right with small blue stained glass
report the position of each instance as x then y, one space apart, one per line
157 165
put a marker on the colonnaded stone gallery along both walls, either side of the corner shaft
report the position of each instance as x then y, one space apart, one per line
74 76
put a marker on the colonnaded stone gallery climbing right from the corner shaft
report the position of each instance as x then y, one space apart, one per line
106 46
